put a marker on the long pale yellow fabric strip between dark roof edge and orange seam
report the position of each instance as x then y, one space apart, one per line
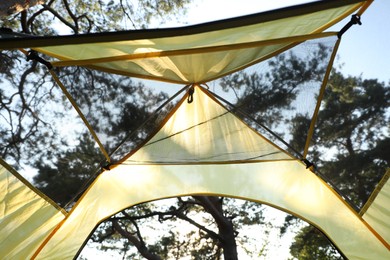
292 26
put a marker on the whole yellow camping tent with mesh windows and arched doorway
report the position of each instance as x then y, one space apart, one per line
202 146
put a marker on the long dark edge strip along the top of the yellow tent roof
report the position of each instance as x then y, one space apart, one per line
17 40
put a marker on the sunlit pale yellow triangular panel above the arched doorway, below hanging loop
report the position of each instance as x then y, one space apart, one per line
203 131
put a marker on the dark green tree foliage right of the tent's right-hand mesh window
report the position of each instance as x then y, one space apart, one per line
353 121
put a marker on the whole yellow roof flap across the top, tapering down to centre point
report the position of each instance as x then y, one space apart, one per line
201 53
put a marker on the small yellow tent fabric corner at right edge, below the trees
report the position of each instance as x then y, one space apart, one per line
378 213
